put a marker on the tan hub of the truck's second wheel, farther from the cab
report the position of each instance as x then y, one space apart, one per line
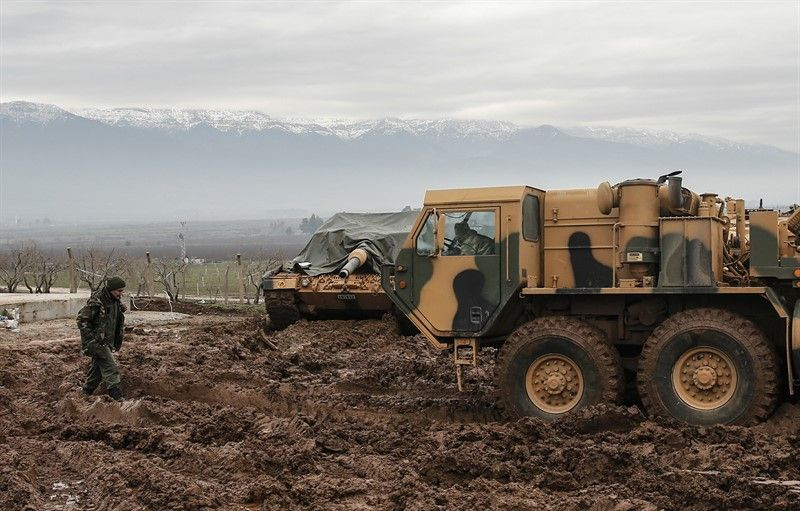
704 378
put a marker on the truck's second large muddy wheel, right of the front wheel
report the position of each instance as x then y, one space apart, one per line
708 366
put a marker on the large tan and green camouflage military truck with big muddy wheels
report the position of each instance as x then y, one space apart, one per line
693 296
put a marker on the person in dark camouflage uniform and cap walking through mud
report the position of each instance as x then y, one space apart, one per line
100 322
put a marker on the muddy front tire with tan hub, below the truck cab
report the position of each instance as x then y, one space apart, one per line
555 365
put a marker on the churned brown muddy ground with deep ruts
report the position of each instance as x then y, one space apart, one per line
343 415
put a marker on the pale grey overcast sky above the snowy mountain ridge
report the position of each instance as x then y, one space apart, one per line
723 69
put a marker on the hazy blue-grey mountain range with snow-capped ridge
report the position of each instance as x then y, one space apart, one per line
168 162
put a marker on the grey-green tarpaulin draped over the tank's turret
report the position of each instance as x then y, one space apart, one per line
380 234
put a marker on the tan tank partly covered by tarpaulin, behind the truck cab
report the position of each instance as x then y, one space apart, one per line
337 274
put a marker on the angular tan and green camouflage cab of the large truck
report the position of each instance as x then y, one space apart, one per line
469 253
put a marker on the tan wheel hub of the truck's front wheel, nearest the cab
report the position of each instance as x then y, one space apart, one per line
554 383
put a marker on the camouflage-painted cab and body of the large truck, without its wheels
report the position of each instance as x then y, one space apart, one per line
638 239
